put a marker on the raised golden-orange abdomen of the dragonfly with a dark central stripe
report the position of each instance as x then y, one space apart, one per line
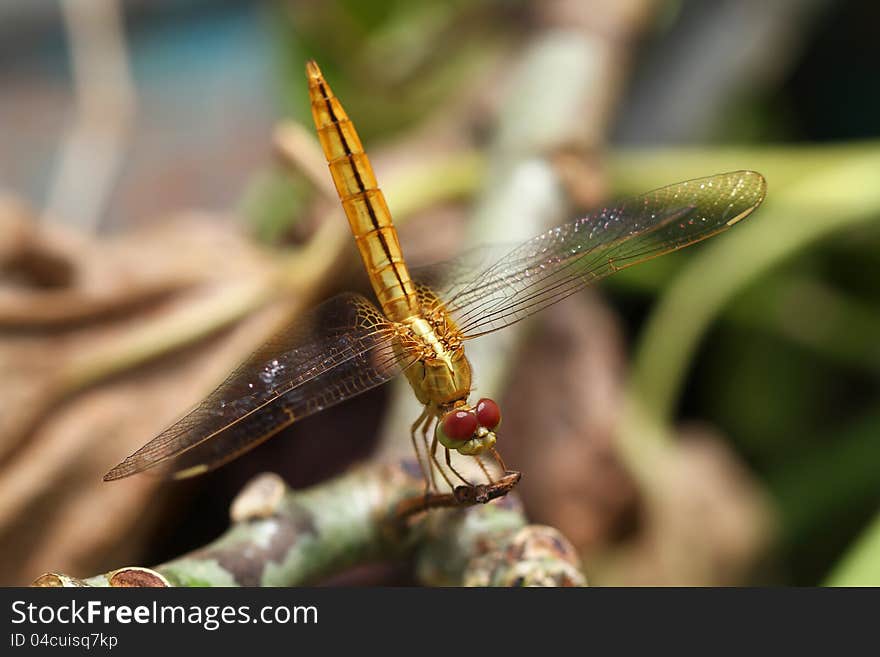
362 200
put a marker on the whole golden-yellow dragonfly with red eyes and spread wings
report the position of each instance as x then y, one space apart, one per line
420 328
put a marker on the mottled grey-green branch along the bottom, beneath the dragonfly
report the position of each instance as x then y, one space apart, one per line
281 537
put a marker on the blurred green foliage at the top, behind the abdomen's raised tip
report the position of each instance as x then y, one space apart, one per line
393 62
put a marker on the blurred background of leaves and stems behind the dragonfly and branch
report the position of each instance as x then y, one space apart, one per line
711 417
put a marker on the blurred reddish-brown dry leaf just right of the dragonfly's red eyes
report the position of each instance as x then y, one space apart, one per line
559 415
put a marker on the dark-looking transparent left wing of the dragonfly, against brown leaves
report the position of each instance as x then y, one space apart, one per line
338 350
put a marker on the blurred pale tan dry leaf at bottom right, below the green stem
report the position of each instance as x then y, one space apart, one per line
707 523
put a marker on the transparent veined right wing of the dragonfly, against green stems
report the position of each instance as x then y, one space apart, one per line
563 260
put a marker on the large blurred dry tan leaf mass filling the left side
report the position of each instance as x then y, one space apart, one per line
59 436
